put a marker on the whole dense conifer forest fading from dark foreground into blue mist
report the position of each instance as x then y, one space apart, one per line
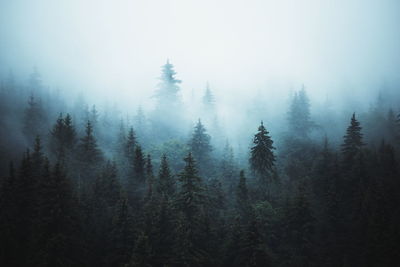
87 185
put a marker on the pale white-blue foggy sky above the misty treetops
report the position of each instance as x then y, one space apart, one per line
114 49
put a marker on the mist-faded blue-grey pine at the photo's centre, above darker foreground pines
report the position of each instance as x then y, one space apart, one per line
201 148
